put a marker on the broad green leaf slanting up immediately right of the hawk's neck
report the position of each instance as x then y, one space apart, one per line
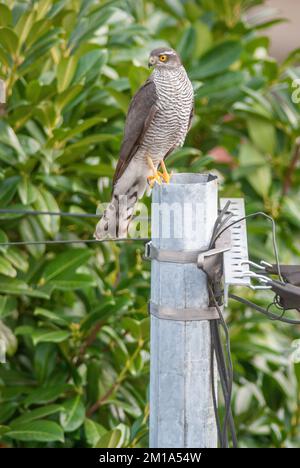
217 60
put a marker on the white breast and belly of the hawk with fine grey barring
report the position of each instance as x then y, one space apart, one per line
170 124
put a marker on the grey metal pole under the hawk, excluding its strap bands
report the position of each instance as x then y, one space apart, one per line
181 405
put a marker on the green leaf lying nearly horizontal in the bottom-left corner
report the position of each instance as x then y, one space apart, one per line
39 431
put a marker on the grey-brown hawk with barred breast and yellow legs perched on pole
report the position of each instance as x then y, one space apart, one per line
158 119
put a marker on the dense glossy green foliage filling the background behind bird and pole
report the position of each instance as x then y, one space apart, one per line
74 318
